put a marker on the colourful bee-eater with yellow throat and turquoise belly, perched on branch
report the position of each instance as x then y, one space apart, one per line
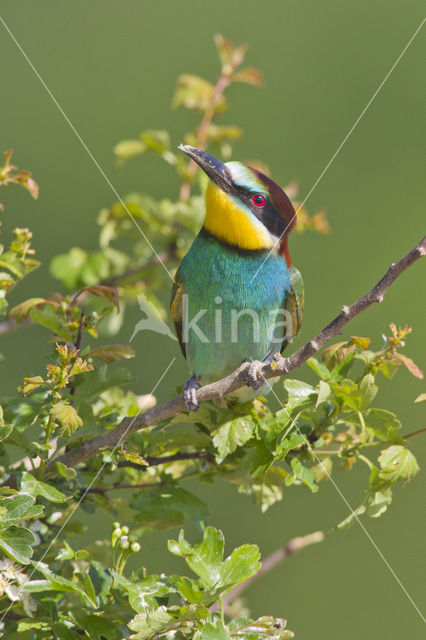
236 296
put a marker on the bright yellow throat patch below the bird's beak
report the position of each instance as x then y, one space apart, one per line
226 221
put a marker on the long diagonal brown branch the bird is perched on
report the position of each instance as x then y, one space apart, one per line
280 366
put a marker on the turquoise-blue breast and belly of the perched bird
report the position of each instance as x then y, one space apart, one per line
229 319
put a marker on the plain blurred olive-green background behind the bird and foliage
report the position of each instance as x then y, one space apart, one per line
112 67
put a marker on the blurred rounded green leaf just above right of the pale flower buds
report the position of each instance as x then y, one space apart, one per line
164 507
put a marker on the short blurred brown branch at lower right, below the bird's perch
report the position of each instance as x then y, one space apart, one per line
270 562
